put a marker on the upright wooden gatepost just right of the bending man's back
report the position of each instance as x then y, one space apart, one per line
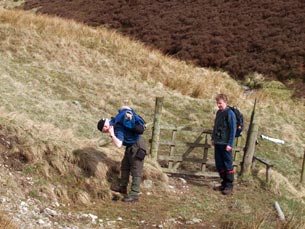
156 129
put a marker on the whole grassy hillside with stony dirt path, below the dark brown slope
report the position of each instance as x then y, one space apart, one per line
59 77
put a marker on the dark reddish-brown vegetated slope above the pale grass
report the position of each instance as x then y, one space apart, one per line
239 36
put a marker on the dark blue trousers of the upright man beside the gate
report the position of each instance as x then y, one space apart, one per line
224 165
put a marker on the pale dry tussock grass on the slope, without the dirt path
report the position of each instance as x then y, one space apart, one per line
58 78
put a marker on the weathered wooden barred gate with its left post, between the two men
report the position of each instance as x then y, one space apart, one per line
178 150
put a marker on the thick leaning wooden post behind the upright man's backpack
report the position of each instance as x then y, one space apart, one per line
248 155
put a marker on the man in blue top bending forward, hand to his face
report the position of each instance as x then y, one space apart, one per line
127 129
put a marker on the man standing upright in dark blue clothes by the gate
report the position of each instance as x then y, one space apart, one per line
223 139
